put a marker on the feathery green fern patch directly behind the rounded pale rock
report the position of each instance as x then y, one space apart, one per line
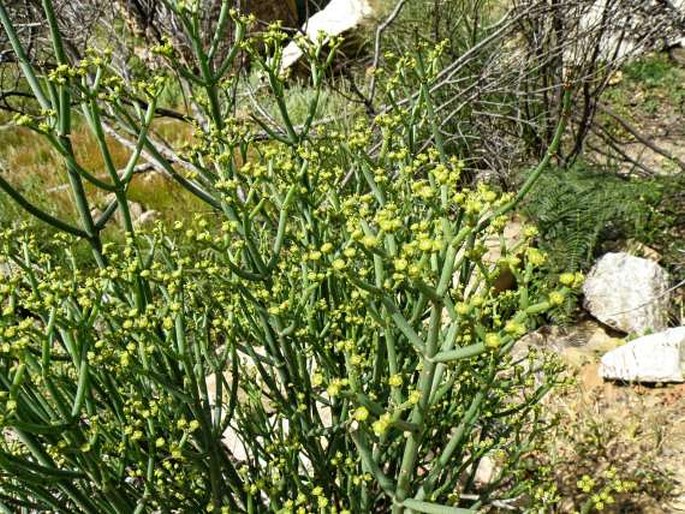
585 211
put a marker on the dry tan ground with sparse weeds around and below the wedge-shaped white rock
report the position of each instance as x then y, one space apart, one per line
637 429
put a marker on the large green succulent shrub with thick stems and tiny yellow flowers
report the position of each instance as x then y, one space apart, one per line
326 338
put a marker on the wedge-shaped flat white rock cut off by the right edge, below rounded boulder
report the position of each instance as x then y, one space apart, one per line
654 358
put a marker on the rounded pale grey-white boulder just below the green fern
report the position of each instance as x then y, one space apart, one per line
628 293
